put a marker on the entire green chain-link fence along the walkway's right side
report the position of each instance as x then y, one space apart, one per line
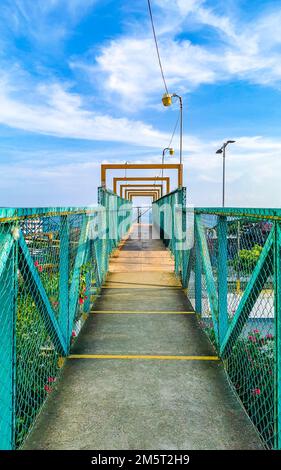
233 275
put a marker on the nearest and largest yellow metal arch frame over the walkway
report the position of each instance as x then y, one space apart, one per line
137 166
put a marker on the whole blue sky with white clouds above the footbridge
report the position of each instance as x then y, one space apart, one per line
80 85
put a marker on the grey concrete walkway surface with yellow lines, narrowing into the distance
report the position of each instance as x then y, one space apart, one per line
138 402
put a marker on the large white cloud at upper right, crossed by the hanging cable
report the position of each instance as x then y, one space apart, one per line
127 67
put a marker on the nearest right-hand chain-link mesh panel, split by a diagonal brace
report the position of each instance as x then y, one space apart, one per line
251 363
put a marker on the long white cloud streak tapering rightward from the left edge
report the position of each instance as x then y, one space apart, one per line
53 110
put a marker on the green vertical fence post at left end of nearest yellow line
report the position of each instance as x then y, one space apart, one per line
64 278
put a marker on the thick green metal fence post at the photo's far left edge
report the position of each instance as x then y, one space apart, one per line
8 296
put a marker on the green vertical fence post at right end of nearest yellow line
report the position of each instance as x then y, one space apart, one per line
222 278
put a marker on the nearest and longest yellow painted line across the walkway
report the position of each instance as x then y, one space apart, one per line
146 357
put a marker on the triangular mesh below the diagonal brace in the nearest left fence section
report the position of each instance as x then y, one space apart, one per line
37 360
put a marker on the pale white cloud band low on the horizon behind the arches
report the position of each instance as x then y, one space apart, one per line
253 168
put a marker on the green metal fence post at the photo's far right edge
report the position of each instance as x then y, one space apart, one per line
277 316
